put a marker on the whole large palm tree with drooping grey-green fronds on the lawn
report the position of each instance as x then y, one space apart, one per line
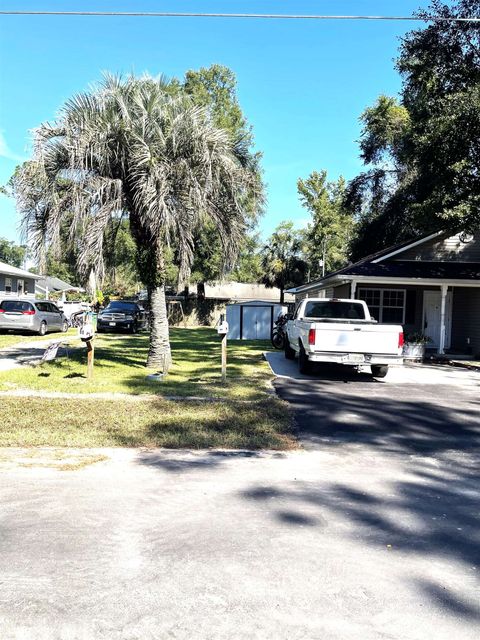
129 148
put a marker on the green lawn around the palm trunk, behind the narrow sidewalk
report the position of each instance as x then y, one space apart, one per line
120 368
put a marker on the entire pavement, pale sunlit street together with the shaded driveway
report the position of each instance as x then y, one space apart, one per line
369 532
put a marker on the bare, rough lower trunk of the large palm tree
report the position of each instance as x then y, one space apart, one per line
159 354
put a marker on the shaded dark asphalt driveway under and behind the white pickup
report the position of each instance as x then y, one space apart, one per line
416 409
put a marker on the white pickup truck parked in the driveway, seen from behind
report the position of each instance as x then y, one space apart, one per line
342 331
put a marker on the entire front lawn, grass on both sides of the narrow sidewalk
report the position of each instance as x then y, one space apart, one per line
224 420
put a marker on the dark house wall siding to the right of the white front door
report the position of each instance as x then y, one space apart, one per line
466 319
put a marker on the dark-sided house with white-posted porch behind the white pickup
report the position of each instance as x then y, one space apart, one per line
430 286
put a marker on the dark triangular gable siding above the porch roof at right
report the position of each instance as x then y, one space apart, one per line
450 248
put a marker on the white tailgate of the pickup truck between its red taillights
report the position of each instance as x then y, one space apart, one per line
355 338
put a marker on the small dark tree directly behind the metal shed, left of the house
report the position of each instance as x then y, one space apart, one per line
282 264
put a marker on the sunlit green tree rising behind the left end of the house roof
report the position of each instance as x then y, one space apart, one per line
328 236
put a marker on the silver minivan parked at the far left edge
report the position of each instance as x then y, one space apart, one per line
36 316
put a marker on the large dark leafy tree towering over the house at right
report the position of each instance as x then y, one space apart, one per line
424 149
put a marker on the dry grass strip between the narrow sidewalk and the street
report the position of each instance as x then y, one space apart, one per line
150 423
